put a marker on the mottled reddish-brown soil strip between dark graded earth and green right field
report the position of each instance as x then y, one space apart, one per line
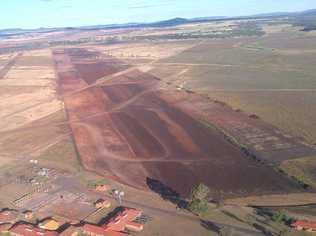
265 142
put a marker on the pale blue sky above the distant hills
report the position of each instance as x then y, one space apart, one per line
55 13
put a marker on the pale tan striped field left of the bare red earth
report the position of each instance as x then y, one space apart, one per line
29 106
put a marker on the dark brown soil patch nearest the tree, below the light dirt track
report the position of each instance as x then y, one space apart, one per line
225 179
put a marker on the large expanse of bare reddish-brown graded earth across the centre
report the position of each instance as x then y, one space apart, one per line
128 129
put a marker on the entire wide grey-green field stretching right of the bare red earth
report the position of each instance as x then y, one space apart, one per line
272 76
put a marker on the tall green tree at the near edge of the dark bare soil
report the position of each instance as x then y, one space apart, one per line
199 199
